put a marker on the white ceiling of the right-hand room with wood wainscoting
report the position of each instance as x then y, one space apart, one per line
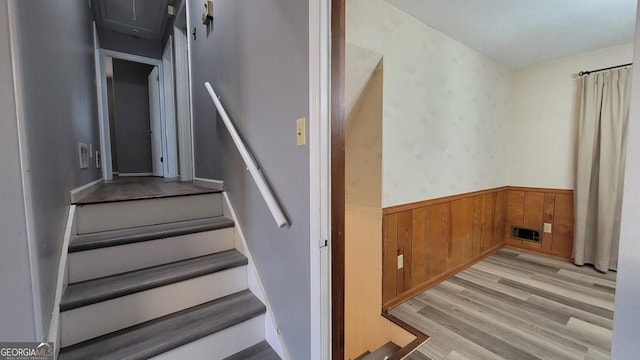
518 33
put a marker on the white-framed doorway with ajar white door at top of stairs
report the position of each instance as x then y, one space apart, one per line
138 132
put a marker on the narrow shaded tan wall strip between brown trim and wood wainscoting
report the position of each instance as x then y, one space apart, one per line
365 328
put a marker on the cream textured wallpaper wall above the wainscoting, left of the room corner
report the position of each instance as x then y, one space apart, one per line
445 107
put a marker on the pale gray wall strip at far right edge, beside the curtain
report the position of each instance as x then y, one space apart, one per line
626 324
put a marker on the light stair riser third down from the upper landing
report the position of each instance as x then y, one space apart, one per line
94 320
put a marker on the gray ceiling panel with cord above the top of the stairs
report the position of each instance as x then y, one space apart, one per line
145 19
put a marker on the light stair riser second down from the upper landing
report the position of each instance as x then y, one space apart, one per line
92 264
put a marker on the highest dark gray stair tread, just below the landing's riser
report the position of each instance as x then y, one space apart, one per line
104 239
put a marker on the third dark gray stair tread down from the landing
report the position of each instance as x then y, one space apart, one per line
168 332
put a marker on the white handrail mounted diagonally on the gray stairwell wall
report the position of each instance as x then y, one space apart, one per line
256 174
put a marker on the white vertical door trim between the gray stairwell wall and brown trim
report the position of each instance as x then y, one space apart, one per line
319 145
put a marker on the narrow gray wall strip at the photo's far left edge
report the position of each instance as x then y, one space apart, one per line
16 295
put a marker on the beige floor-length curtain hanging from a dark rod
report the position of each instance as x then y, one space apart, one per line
602 125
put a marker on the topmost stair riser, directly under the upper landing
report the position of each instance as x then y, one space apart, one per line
126 214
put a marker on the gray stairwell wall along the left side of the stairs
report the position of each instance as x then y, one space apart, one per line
60 111
